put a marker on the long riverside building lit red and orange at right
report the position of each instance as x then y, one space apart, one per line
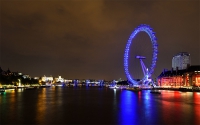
180 78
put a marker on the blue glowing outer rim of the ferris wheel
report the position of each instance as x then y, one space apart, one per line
149 31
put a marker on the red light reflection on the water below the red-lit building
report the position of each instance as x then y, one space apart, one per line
180 107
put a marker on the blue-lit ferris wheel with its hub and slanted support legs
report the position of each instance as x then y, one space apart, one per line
147 71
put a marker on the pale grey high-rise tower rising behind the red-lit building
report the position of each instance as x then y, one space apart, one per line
181 61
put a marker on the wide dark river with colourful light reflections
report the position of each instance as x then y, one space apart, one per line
94 105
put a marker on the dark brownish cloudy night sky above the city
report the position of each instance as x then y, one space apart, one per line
86 39
